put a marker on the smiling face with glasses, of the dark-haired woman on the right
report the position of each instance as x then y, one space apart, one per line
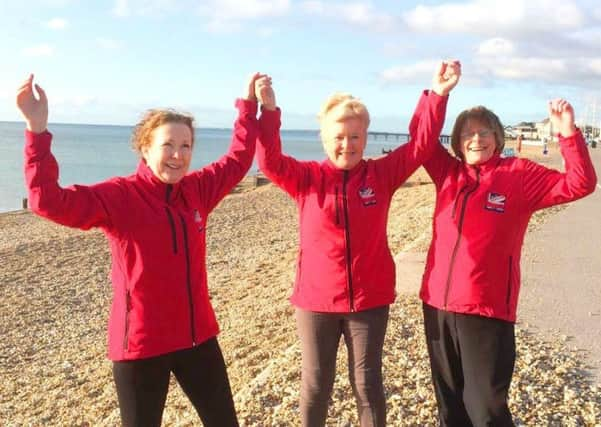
477 142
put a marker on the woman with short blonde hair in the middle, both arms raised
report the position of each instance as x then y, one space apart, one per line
345 272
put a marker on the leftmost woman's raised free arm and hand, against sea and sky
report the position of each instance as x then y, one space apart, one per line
75 206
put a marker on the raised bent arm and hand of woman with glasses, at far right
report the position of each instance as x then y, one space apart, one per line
545 187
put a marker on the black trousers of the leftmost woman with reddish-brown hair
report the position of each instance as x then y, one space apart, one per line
142 386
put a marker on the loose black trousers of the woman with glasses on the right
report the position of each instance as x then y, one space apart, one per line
472 359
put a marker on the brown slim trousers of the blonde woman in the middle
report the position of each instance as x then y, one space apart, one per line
363 334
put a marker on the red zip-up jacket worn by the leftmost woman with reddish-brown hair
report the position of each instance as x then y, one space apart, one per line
156 233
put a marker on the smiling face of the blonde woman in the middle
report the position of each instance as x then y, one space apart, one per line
344 141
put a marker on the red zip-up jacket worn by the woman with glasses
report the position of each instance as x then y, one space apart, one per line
480 220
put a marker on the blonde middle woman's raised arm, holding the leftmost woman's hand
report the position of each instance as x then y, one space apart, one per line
285 171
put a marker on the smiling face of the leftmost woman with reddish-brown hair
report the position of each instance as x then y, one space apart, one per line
169 152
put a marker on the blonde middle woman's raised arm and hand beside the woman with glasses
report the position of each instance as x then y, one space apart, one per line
426 123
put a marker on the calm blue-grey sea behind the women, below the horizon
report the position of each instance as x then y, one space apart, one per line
88 154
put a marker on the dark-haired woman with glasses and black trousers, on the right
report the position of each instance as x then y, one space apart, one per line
472 279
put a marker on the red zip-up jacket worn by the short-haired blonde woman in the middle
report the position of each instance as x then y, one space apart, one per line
344 263
